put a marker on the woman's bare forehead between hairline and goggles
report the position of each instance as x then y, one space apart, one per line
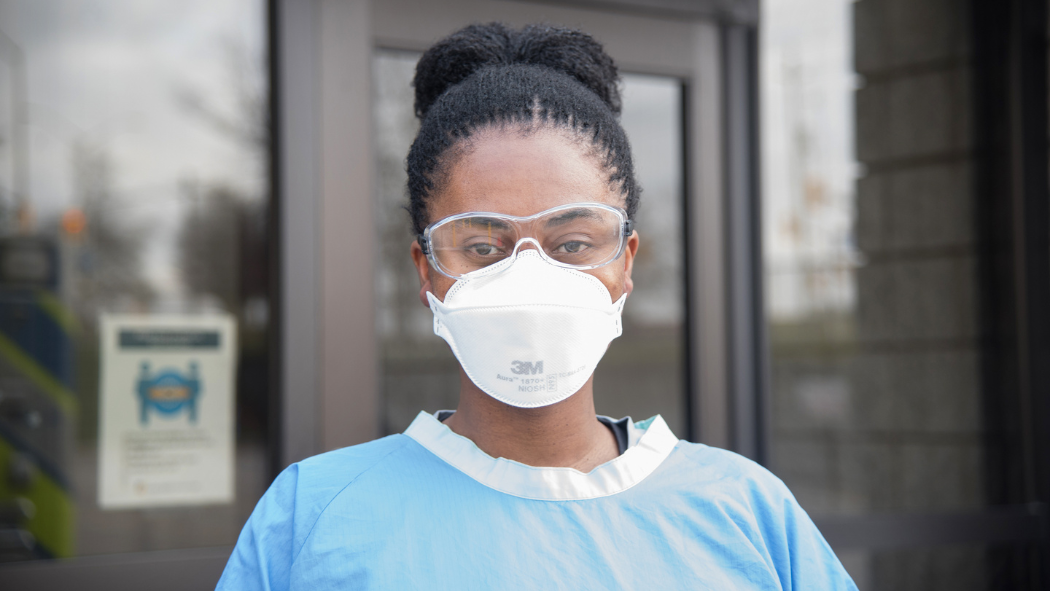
507 172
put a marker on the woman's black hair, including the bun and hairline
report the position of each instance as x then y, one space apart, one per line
491 75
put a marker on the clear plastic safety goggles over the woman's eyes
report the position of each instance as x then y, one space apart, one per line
577 237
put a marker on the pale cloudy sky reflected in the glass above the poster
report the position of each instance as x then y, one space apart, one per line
109 74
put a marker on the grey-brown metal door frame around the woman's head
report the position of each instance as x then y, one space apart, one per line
323 178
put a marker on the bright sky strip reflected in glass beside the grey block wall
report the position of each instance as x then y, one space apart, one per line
809 164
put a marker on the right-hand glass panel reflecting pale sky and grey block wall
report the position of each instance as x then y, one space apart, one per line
870 275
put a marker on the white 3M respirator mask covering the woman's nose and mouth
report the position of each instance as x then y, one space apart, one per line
527 332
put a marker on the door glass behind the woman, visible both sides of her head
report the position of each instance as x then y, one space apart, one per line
642 374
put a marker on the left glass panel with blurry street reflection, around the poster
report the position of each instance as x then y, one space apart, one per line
134 180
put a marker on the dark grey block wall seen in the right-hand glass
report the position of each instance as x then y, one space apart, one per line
920 444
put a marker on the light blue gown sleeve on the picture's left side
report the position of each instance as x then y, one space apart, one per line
262 561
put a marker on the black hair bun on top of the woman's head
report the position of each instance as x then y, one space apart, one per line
477 47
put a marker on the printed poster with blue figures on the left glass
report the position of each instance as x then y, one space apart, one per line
166 414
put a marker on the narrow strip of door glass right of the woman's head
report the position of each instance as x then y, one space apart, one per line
643 374
